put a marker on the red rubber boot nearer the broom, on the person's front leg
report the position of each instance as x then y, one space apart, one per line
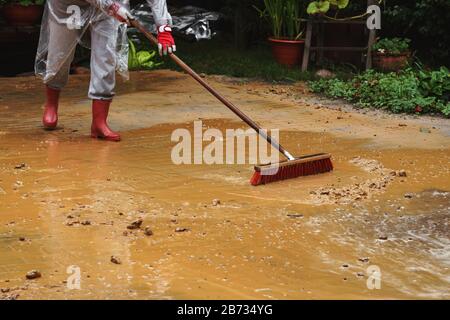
99 128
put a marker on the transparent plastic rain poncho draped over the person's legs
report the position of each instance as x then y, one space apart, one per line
64 26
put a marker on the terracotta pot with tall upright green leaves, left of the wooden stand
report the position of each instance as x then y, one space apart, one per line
286 42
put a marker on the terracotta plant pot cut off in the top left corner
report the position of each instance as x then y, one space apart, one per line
22 12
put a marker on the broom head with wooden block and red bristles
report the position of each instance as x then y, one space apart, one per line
302 166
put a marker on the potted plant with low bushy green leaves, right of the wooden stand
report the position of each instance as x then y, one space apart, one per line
391 54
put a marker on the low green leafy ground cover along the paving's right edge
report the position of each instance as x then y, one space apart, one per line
410 91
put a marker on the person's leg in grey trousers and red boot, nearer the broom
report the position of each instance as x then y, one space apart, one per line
103 77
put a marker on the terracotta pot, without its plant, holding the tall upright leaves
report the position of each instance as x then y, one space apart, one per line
287 52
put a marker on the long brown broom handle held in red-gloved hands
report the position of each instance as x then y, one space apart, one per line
227 103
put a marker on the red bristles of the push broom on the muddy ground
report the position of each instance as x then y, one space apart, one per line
293 171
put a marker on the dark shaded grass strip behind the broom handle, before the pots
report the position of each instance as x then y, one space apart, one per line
219 57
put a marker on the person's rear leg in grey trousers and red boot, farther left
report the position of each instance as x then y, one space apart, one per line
61 50
